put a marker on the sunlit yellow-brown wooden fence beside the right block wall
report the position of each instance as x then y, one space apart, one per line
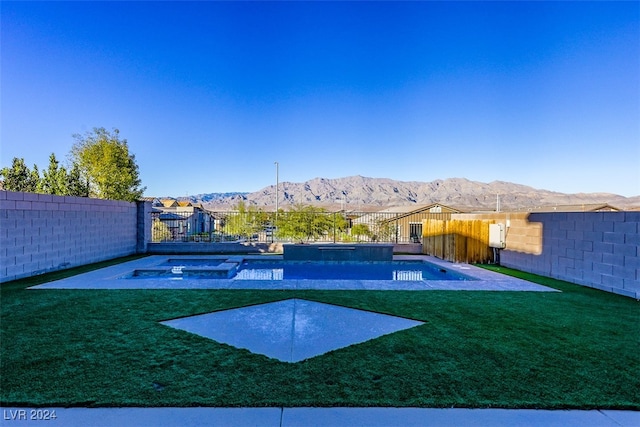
457 240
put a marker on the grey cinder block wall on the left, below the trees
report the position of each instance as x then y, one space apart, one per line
41 233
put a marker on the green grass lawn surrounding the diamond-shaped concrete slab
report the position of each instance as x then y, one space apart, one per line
575 349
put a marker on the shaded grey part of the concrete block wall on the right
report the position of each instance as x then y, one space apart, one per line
595 249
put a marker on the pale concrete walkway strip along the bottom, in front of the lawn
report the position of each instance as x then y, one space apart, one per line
310 417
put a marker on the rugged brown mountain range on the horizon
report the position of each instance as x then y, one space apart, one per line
363 193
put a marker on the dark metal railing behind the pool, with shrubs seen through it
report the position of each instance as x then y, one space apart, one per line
300 225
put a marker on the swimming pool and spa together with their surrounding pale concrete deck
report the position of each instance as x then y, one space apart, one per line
220 272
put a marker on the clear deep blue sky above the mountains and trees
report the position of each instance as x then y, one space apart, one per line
210 94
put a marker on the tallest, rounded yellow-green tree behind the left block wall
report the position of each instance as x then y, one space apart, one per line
109 168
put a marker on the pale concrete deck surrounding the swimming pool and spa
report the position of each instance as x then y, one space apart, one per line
119 277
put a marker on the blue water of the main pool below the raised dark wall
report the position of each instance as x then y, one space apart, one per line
404 271
